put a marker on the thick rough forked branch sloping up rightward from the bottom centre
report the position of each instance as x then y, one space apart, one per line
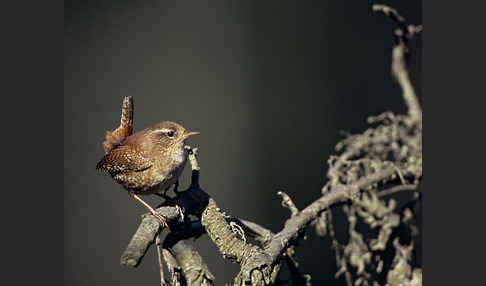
257 265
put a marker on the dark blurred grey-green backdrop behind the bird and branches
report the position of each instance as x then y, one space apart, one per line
269 84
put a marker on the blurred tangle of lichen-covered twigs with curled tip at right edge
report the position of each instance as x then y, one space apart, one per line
397 143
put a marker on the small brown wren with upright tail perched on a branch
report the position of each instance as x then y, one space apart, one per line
146 162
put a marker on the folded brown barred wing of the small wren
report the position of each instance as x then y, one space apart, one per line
122 159
